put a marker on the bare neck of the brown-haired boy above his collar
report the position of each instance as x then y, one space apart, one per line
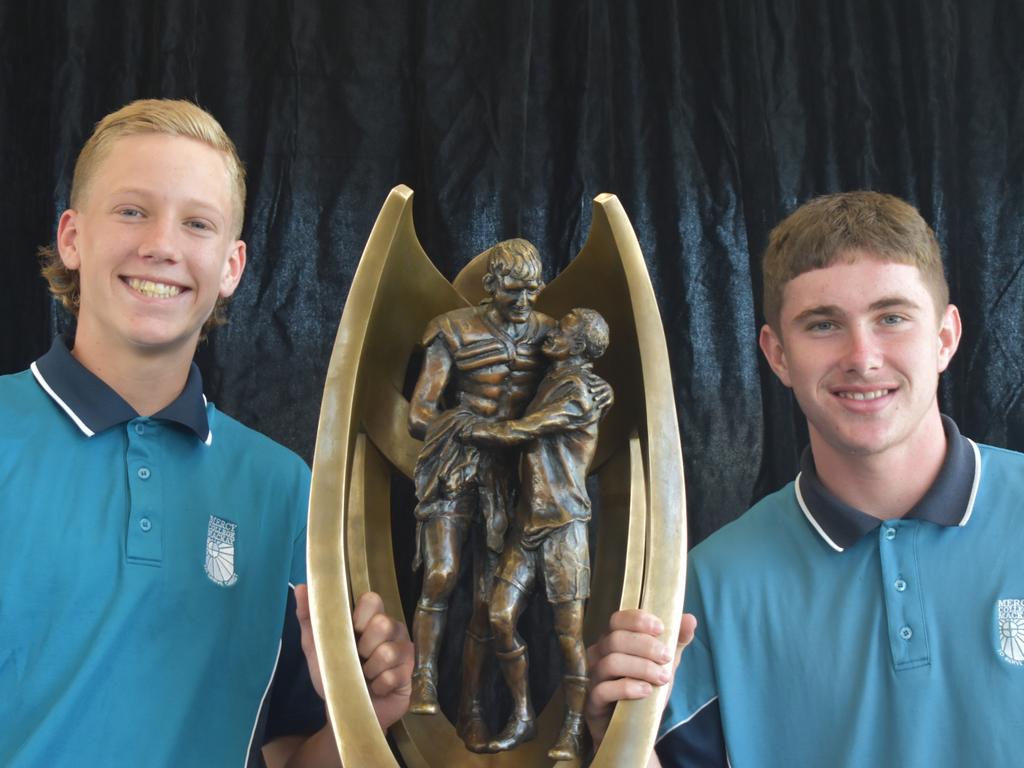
887 485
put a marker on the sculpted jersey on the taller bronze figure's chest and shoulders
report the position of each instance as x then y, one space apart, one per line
495 374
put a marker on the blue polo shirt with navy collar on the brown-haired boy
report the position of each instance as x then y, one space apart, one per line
827 637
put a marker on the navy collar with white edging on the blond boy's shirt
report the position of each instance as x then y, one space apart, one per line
95 407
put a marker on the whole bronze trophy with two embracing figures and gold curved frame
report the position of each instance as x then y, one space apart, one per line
498 435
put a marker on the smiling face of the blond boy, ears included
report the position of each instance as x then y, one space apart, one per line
154 243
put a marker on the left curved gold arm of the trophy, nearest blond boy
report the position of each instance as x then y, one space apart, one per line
390 303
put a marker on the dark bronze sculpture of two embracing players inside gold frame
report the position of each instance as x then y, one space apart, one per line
474 502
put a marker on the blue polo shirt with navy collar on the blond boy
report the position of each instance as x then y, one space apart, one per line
145 569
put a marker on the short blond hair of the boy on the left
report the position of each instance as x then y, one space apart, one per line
148 116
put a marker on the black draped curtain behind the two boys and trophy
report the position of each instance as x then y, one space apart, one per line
710 120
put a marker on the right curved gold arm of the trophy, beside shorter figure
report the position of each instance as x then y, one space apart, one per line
646 382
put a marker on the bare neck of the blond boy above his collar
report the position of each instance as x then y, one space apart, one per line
149 381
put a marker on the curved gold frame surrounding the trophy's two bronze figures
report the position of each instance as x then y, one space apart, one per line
642 541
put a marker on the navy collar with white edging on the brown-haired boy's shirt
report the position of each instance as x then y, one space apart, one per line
950 501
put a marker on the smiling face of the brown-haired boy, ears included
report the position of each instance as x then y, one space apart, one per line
863 346
